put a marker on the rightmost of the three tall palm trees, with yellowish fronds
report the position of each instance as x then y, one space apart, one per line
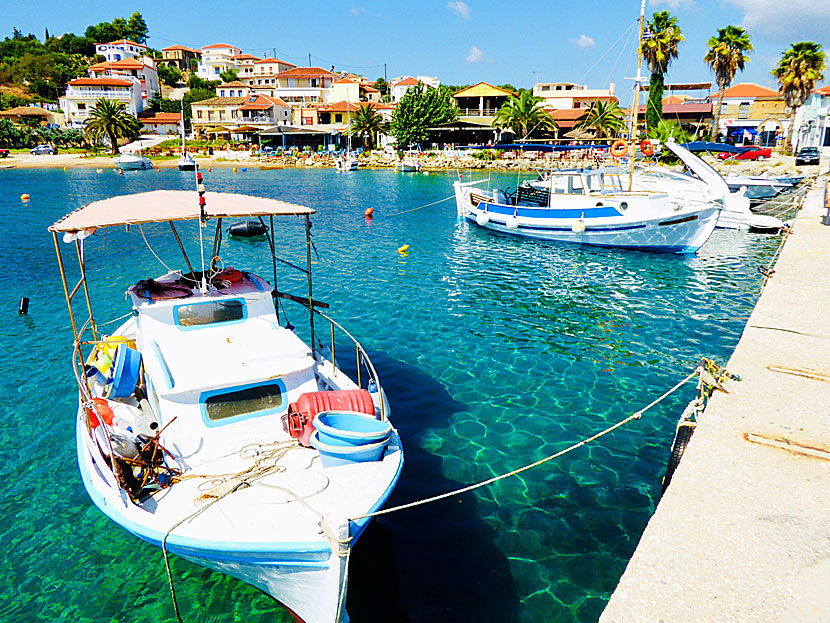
798 71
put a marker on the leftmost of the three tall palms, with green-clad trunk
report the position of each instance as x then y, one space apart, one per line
660 42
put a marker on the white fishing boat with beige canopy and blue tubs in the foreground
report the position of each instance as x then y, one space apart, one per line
206 426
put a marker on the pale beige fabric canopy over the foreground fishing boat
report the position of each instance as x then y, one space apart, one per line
171 205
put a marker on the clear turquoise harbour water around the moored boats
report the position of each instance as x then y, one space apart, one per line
494 352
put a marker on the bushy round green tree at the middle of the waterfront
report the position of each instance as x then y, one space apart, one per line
418 110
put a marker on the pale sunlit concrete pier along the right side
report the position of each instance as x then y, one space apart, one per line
743 532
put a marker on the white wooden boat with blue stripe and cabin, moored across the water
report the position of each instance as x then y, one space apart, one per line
590 207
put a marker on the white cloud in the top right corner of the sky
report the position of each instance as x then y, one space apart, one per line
790 21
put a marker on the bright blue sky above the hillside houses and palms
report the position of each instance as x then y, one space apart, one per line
590 42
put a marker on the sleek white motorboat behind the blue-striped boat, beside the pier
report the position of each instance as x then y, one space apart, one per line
703 182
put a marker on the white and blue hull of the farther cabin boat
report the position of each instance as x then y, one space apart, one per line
679 232
